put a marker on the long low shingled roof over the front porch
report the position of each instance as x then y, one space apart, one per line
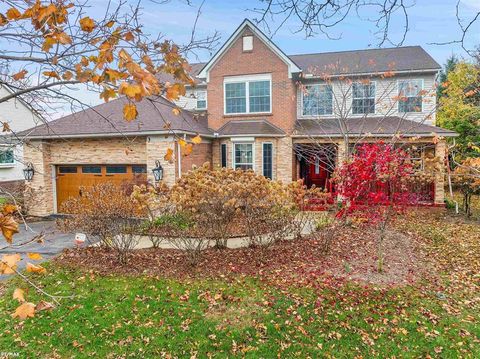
375 126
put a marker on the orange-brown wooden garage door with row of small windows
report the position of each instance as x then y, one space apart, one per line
70 178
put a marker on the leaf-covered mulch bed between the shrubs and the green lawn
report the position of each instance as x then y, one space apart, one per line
352 256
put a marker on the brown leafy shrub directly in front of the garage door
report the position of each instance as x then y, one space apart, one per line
107 212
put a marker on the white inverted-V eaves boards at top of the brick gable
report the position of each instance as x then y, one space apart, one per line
248 28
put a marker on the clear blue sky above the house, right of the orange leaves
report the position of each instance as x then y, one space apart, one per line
431 21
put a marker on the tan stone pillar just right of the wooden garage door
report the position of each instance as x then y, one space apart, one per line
157 148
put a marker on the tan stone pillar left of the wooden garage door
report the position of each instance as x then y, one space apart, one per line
39 199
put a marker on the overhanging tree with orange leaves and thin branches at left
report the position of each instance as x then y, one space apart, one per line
51 48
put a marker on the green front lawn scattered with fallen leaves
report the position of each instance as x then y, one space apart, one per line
146 317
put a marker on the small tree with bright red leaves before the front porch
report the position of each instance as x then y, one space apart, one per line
373 188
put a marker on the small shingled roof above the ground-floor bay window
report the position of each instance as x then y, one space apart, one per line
249 127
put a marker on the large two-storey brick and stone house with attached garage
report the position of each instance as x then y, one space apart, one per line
286 117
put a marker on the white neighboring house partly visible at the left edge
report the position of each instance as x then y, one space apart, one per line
15 116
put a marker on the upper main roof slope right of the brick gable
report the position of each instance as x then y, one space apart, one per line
397 59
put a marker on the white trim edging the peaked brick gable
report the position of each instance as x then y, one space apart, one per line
292 67
